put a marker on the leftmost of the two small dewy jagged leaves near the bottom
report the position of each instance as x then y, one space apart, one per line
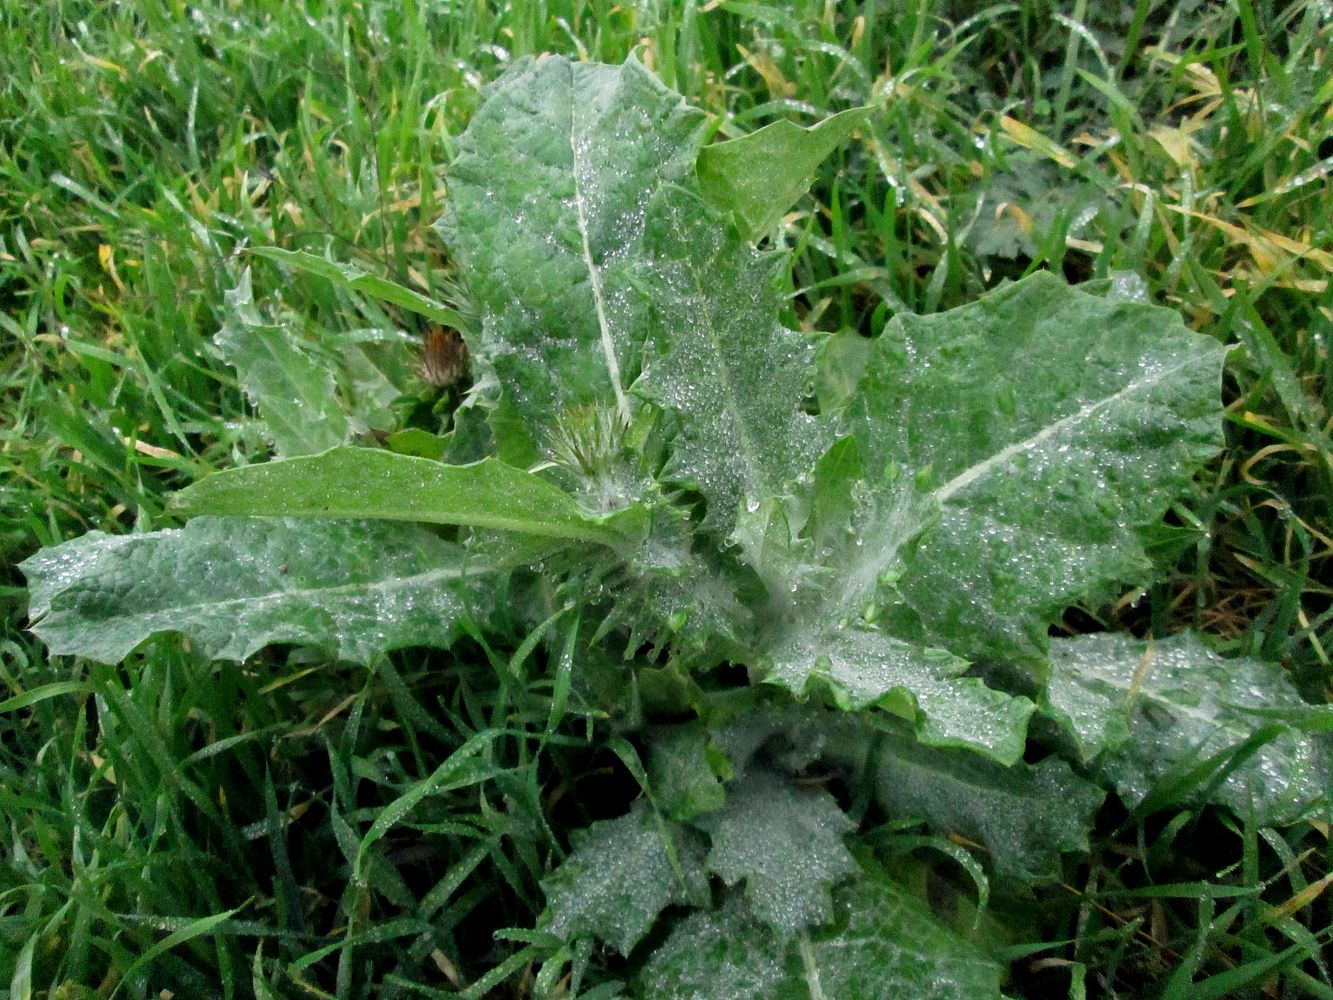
622 875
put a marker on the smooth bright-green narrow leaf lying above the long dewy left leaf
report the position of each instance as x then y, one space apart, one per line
375 483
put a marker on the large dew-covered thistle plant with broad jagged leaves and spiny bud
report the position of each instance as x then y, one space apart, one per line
671 485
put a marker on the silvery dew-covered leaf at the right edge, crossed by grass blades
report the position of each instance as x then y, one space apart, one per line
1151 709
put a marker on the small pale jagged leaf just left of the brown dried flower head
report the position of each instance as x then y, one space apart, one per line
293 390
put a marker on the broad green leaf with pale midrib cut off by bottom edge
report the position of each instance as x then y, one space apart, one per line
883 946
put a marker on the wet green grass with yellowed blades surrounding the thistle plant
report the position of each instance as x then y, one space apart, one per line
181 827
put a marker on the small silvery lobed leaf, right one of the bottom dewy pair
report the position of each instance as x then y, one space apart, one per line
786 845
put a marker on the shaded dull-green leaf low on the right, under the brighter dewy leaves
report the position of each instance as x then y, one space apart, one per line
1027 817
